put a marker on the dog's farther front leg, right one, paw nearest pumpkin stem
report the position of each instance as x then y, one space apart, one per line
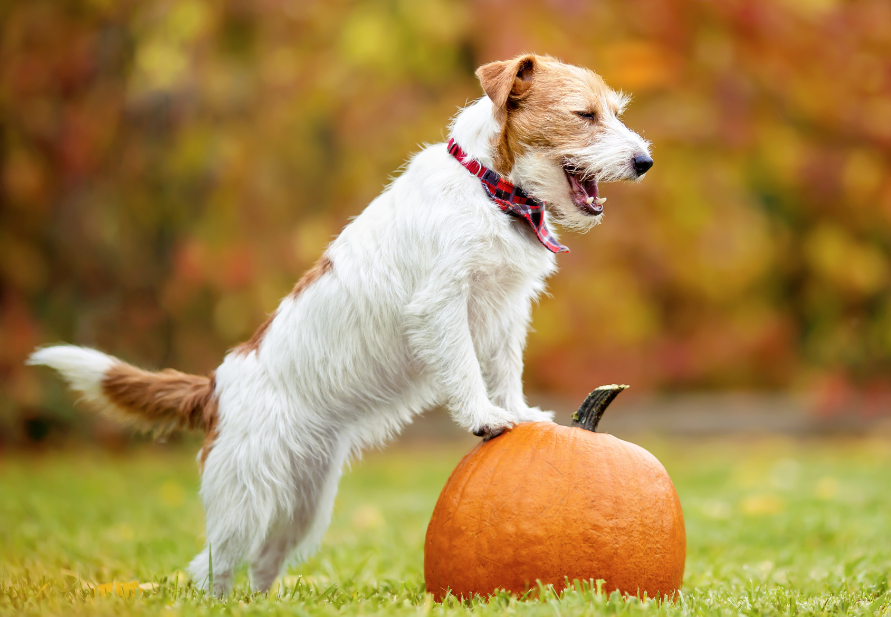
504 366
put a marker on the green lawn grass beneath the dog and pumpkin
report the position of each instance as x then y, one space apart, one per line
773 528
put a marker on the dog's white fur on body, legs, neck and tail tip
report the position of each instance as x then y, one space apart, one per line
428 303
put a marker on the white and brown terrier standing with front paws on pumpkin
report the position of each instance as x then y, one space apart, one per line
423 300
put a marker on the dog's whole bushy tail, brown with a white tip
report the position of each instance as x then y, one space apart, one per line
162 401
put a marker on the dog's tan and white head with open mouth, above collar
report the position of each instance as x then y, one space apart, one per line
560 134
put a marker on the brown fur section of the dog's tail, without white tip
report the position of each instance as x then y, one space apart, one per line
167 399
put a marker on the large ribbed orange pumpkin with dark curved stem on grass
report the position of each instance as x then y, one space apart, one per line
544 502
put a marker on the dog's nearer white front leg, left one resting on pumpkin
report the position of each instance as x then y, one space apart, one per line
439 335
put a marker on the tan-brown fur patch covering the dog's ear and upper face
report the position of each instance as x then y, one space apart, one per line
535 99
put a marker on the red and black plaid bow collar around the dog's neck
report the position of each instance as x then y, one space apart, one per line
511 199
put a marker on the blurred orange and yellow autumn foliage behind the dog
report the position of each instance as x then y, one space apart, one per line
169 168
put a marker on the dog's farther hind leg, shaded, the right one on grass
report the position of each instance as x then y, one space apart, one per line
316 478
